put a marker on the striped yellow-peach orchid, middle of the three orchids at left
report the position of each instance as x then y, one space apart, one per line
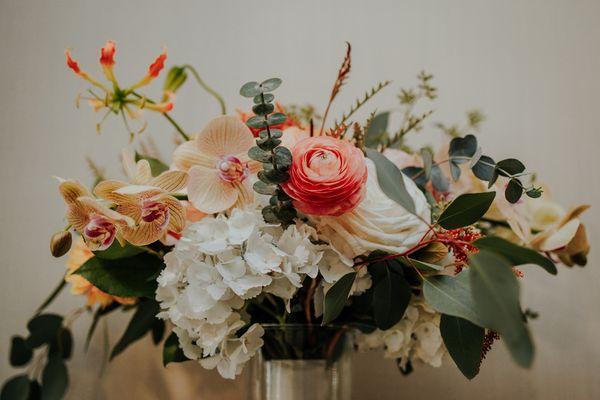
147 200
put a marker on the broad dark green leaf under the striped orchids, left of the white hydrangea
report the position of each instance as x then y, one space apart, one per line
126 277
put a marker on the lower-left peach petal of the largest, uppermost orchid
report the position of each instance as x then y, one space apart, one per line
208 192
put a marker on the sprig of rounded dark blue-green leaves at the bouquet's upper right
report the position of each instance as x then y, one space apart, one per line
463 150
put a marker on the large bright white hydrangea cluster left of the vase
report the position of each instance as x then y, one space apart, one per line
218 264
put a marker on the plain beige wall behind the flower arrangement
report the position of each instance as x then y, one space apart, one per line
532 66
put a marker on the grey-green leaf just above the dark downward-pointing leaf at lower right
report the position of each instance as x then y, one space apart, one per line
452 296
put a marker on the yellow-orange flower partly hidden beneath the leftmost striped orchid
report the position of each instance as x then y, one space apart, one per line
78 255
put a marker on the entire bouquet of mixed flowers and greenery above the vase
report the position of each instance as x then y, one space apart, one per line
278 216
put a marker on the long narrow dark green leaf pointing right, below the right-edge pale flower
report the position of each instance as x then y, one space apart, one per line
516 254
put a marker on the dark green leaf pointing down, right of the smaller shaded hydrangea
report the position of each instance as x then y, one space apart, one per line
464 342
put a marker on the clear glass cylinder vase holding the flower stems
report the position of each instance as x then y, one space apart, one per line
300 361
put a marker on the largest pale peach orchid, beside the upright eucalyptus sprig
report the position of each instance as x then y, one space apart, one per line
218 165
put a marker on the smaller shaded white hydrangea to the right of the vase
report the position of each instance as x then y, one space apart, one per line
416 337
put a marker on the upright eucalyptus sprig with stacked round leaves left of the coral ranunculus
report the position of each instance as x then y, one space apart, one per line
276 159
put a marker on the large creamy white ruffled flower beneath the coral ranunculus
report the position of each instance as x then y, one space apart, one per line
377 223
